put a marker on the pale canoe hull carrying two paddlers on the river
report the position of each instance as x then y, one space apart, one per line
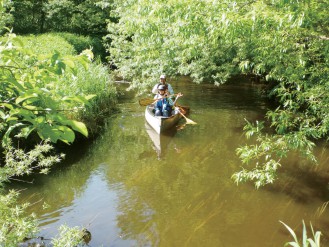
161 124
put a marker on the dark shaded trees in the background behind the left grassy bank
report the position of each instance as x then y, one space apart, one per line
87 17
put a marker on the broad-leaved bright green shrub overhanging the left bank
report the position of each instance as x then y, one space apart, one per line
30 97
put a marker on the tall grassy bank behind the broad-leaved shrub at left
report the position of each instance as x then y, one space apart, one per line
95 80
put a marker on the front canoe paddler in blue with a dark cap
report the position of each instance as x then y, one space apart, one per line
164 105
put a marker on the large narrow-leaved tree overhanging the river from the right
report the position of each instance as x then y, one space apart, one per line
283 43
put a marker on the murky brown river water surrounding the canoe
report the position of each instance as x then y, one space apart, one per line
132 189
